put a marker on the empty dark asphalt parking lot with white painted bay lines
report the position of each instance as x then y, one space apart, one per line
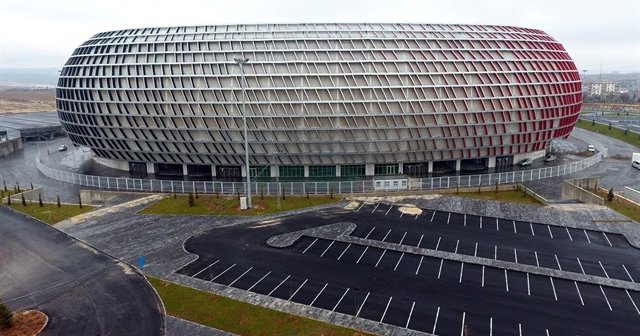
429 294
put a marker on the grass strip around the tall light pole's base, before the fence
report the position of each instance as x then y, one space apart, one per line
230 206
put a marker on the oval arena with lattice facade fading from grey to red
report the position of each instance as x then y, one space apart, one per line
322 100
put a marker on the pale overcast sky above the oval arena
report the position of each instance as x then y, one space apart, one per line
43 33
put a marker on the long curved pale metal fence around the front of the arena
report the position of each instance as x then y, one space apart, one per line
314 188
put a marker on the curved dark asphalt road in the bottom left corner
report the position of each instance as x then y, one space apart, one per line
83 291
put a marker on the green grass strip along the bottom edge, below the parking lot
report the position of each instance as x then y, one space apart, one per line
236 316
